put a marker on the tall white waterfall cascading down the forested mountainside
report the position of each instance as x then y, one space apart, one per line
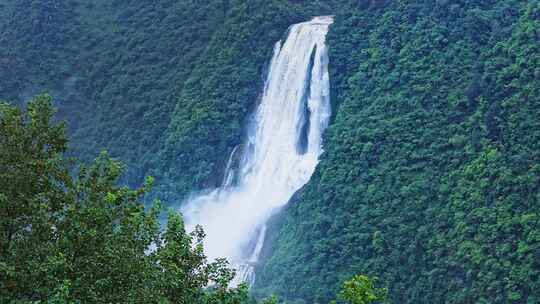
280 155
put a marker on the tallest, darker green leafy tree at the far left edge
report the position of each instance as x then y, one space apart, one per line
33 179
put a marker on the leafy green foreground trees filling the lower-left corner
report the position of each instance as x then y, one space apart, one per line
87 239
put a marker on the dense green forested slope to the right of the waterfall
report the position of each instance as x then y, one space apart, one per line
430 178
